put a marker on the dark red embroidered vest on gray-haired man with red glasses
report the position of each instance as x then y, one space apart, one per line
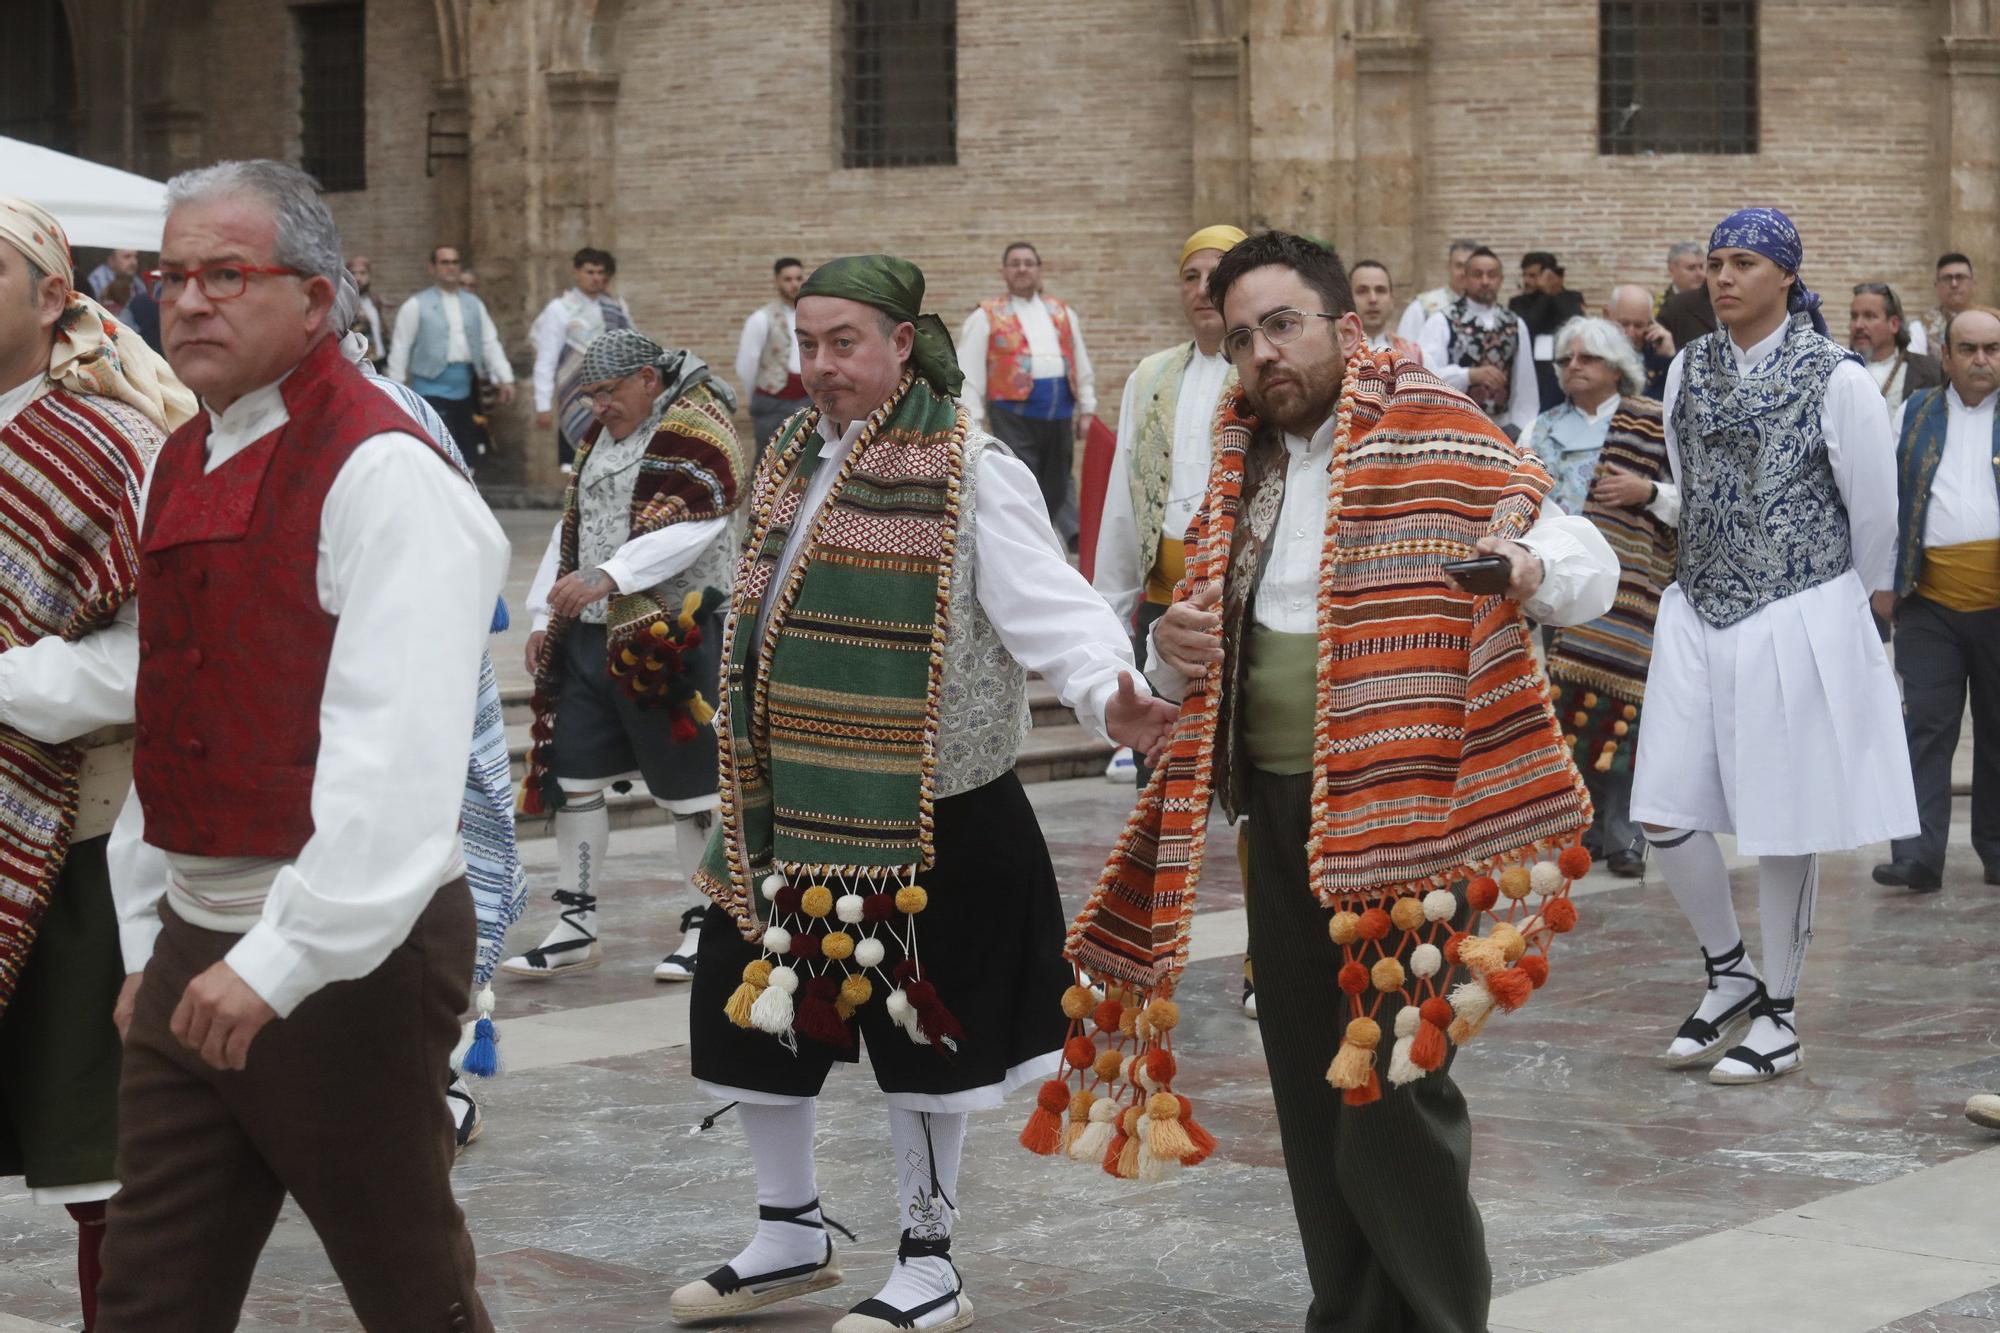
233 637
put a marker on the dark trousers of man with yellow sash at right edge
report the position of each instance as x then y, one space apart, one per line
1939 655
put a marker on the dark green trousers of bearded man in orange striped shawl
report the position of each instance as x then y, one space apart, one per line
1381 1192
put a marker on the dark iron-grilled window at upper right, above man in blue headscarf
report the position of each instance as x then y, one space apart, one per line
1677 77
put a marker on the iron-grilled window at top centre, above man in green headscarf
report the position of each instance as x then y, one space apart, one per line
899 101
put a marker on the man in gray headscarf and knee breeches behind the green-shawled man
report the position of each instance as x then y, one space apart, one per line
629 627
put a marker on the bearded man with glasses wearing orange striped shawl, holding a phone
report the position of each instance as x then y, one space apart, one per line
1343 481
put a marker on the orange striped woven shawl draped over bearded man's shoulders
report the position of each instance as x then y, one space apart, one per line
1437 754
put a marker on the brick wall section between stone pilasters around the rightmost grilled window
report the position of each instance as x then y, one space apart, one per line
1847 99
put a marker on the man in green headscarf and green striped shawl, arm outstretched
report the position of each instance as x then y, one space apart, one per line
879 870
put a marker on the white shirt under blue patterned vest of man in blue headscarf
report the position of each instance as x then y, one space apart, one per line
1859 447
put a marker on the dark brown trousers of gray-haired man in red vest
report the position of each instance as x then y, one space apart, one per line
341 1106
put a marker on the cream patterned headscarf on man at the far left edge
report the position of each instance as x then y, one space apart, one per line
95 353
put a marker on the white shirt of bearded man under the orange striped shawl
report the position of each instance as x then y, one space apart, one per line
1579 567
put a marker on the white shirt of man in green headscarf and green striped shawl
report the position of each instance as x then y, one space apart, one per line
1049 619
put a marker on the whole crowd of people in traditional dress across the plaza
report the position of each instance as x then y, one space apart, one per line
1441 607
